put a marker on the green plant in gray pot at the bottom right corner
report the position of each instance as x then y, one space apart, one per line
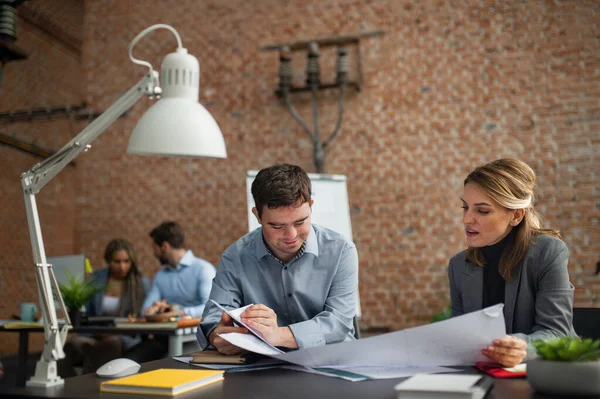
567 366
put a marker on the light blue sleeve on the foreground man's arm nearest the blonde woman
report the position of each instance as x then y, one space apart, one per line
335 322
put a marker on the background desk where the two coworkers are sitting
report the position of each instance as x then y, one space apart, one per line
177 337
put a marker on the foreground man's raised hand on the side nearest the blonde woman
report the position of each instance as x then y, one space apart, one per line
264 320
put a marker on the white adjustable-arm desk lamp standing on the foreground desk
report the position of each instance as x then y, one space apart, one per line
177 125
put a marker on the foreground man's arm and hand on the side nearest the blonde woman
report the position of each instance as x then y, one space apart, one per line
332 325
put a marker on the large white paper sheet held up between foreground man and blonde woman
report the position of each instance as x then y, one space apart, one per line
453 342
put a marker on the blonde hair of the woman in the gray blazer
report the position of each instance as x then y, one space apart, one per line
510 182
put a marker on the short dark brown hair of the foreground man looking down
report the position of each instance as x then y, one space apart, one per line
279 186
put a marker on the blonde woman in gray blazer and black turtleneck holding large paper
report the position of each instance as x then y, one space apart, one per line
511 259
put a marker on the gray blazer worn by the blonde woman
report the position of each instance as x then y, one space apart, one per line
538 299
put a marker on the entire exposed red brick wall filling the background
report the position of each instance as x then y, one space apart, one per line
448 87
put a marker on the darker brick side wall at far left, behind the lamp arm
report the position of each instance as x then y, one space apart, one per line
50 77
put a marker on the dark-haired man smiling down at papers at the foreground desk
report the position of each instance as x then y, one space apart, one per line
301 278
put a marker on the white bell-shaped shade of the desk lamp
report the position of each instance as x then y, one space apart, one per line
178 125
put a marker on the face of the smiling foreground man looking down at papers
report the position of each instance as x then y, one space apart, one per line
286 228
